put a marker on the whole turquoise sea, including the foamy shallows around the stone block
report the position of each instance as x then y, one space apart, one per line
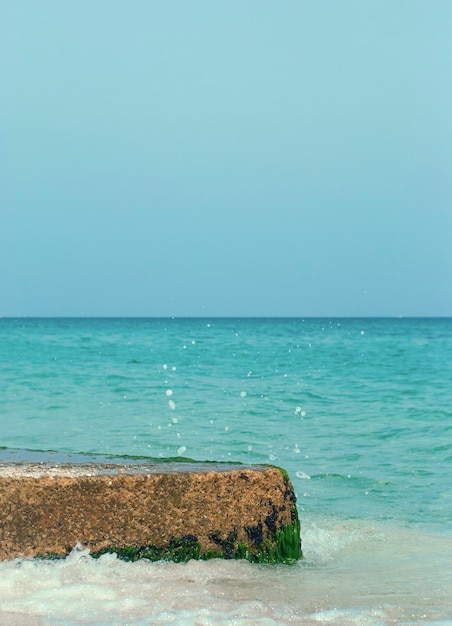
358 411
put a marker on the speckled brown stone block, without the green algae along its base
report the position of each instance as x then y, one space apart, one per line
46 509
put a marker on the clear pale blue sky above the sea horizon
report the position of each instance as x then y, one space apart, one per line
226 158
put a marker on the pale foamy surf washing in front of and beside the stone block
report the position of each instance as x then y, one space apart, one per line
353 573
